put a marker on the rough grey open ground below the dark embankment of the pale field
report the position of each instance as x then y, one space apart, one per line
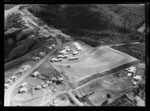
98 90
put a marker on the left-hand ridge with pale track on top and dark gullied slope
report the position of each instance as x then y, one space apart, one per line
24 32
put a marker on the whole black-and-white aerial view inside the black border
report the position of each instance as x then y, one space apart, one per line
74 55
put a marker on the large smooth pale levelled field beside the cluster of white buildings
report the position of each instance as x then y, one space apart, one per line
96 60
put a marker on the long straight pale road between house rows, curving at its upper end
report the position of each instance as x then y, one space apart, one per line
7 96
